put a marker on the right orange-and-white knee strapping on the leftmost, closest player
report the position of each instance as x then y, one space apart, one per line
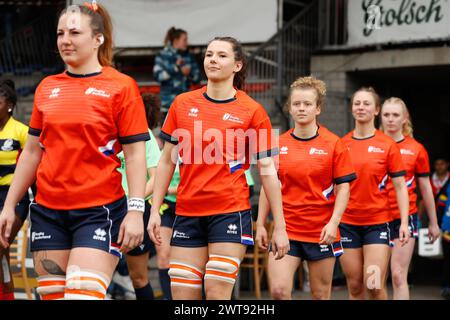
85 285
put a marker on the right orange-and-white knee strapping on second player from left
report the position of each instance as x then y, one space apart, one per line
222 268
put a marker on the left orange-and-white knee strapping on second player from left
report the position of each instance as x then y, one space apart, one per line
185 275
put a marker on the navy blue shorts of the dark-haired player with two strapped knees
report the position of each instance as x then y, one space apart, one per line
196 232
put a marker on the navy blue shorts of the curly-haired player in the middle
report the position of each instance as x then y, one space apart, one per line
313 251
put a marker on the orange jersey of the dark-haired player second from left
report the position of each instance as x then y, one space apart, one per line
214 152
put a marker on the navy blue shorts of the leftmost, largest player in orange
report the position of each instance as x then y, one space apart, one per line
96 227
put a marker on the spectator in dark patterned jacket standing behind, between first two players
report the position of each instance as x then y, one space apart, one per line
175 68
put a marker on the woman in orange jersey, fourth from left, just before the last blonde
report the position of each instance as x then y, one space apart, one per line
364 227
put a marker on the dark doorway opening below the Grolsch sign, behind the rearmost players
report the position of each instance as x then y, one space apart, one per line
425 91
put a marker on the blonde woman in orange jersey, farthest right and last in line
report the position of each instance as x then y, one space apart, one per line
396 123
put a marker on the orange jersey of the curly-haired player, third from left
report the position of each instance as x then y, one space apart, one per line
308 171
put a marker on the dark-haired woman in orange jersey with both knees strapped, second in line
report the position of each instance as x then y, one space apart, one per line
214 132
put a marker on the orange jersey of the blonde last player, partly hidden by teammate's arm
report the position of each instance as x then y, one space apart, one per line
415 159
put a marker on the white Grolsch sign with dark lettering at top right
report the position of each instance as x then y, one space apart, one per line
394 21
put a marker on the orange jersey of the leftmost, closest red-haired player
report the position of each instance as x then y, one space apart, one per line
82 122
